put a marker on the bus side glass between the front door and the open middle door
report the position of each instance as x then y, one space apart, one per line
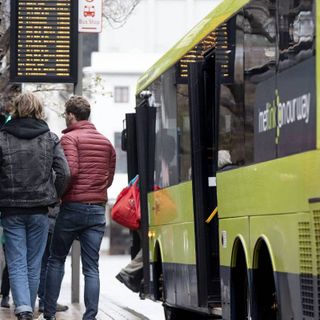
172 148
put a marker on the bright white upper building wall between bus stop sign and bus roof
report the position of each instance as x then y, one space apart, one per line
155 25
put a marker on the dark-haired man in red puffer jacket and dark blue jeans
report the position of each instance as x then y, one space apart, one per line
92 160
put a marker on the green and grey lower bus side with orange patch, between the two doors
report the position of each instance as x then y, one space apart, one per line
172 228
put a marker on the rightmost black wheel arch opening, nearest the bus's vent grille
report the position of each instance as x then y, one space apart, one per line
264 298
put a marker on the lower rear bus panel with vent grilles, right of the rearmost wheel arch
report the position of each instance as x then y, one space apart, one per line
290 242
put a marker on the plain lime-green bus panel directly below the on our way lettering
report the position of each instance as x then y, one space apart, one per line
280 186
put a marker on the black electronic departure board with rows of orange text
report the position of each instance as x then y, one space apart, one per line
43 43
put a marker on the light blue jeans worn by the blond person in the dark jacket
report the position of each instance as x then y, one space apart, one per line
26 237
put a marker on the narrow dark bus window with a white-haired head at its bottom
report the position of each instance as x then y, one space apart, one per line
231 108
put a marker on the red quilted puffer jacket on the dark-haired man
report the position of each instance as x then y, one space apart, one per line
92 159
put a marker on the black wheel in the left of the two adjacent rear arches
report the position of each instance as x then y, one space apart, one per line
240 299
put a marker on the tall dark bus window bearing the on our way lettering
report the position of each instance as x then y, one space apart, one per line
296 93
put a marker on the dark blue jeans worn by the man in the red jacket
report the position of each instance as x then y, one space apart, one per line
86 223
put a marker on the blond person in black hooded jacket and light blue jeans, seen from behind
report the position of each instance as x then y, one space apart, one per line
30 157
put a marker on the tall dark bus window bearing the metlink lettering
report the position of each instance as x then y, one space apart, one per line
260 54
